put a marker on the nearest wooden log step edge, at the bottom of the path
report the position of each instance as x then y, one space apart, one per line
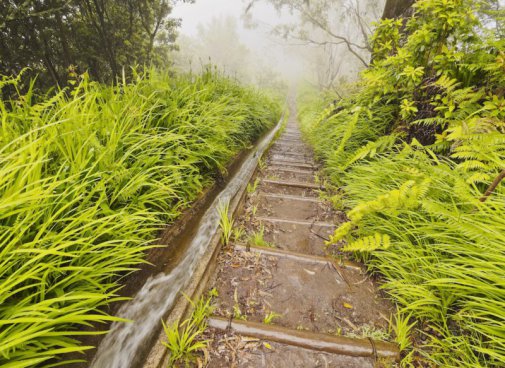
340 345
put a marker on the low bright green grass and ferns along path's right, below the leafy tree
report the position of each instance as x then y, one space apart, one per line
417 221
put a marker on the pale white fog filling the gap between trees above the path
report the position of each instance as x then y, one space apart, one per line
266 44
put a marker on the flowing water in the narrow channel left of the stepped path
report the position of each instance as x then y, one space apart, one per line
125 342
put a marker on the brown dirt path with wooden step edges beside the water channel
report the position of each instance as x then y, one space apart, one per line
282 301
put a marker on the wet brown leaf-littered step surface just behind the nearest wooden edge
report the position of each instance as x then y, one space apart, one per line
307 295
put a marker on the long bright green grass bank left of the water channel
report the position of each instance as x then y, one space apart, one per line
87 178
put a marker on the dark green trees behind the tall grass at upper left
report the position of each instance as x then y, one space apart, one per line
104 37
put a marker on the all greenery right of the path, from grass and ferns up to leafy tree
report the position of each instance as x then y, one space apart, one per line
418 152
